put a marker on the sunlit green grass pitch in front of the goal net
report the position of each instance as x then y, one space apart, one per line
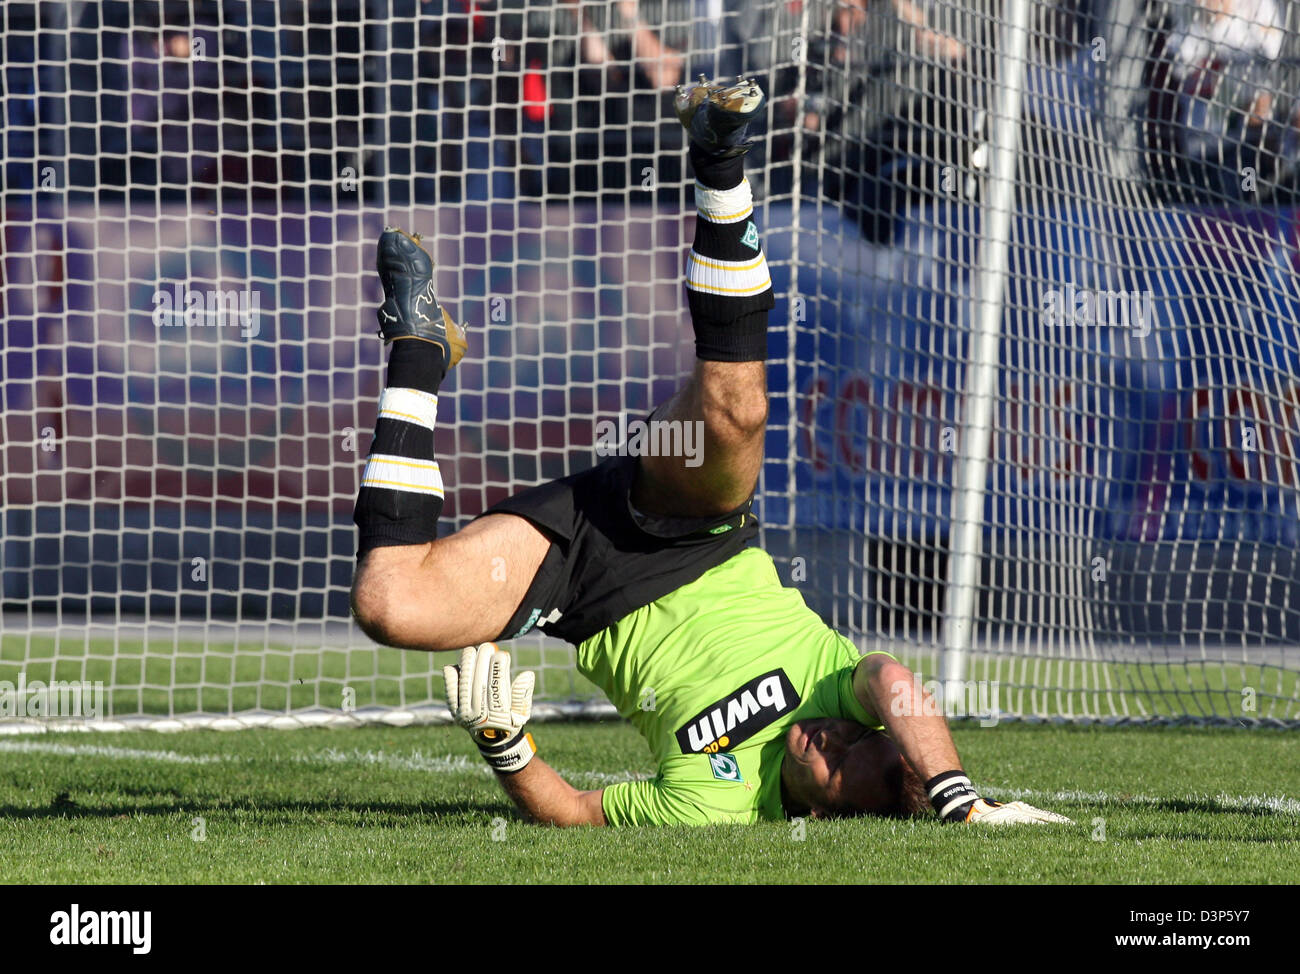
417 806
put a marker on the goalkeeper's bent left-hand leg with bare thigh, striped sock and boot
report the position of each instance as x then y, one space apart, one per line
411 588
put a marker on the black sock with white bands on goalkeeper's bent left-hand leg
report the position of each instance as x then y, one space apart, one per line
401 495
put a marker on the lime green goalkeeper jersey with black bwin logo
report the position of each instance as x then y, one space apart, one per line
714 676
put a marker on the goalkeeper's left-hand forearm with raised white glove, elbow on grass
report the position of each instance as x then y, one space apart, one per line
495 709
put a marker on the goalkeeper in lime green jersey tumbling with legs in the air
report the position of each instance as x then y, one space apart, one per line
755 708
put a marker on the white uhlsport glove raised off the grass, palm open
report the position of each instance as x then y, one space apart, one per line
495 711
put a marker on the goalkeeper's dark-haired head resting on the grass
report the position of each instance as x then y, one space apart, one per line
840 768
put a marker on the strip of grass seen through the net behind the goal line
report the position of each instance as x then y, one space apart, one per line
226 676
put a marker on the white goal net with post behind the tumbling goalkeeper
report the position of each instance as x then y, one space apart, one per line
1081 215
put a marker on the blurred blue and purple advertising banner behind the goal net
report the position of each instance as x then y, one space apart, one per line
179 443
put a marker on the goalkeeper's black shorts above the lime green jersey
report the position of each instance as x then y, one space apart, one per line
608 560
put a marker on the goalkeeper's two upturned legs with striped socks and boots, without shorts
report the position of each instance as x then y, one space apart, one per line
418 592
